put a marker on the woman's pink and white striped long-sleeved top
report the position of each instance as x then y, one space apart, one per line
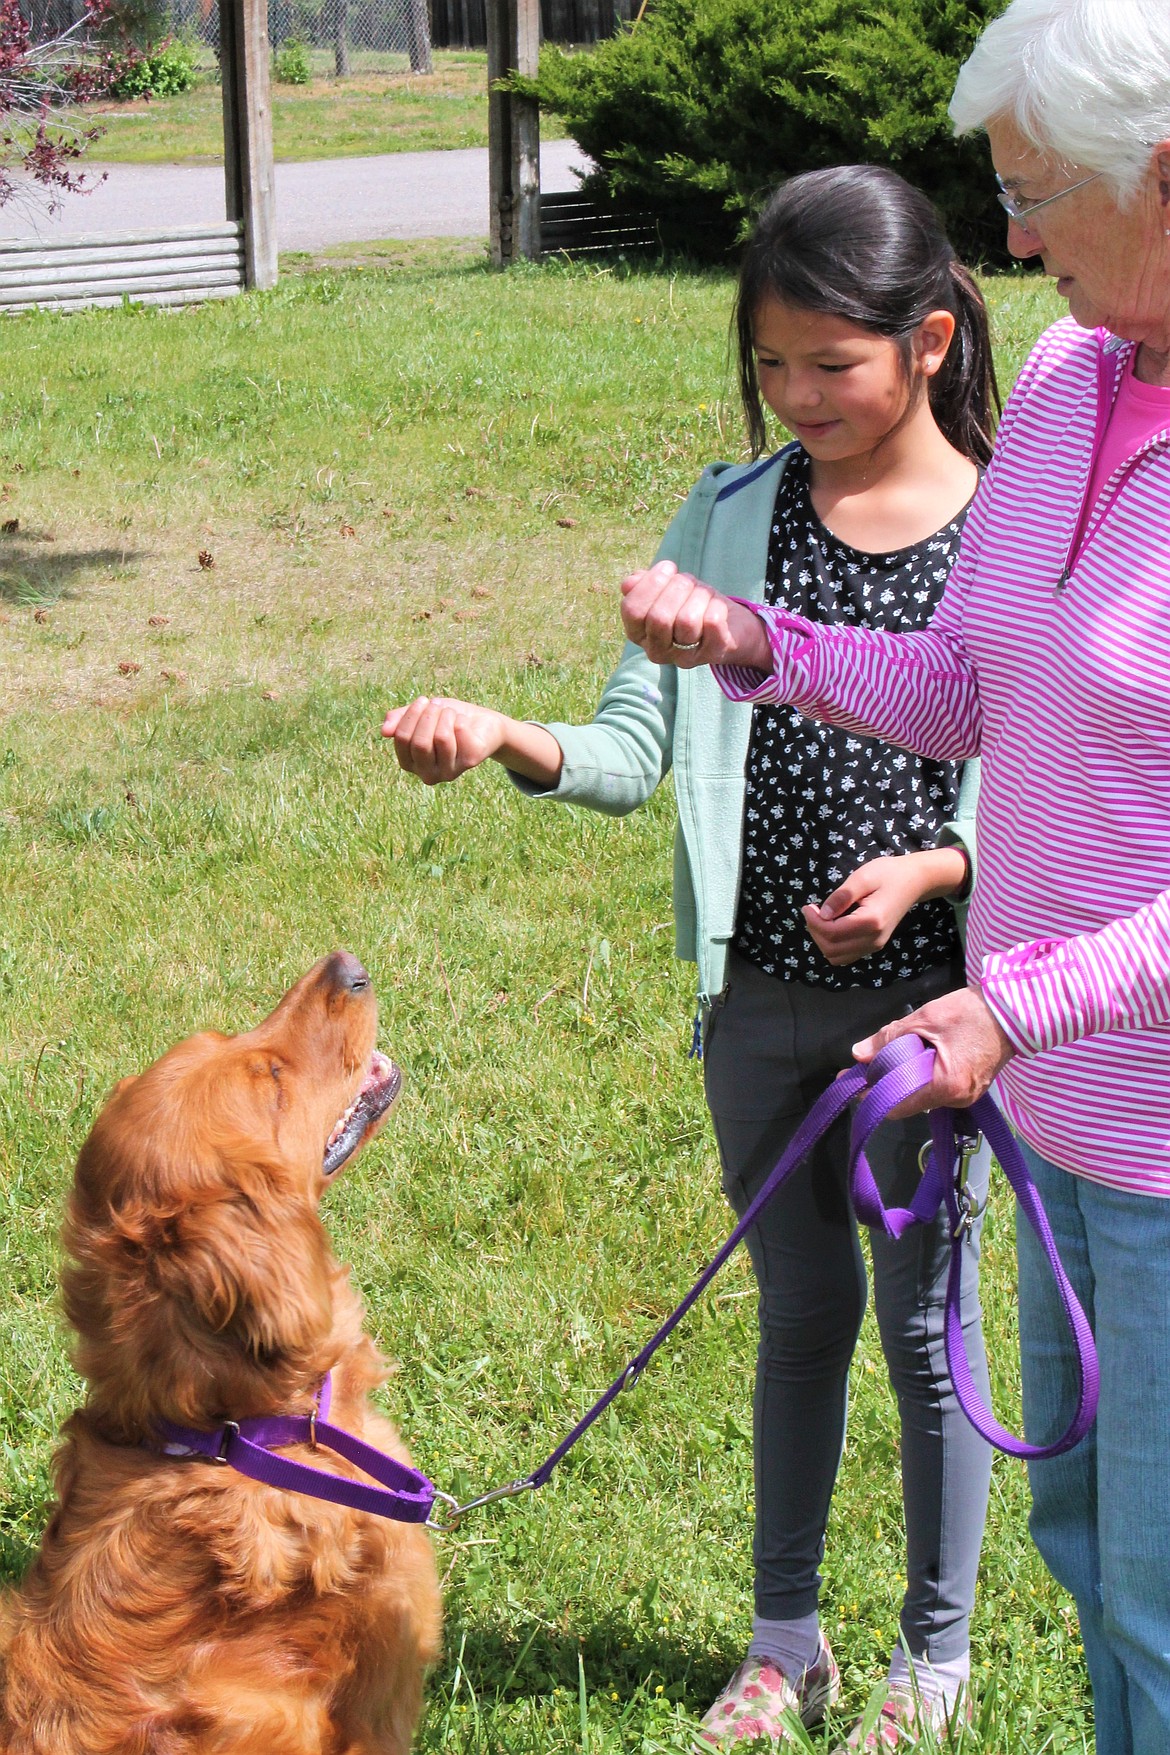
1050 657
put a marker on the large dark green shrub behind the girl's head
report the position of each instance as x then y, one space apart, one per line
706 104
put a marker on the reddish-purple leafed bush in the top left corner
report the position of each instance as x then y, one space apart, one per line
41 82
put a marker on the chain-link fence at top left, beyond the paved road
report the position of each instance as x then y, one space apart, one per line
341 38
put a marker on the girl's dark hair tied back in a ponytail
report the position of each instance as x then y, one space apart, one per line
860 243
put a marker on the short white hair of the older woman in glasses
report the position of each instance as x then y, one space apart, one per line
1087 82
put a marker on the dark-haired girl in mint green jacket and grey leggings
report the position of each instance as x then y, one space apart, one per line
869 341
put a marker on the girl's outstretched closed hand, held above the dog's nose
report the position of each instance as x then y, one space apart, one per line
438 740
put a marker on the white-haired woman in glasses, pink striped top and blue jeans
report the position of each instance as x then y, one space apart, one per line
1048 657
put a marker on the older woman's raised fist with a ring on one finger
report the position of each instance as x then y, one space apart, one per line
680 620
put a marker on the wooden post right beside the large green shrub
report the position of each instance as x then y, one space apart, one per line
513 133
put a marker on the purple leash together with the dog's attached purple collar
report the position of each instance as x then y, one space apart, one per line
899 1071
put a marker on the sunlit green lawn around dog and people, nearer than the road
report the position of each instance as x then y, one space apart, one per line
415 480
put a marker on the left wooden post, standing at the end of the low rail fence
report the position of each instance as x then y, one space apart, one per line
248 134
